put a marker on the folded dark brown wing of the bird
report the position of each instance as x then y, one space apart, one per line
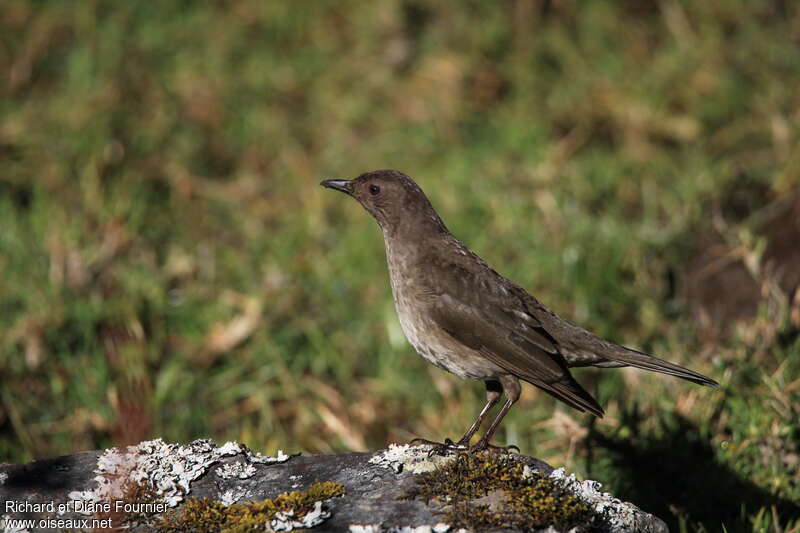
486 314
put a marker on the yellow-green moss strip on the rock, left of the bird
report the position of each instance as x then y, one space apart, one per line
202 514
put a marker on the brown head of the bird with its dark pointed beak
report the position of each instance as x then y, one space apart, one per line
391 197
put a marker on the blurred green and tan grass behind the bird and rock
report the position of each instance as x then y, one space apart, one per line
170 267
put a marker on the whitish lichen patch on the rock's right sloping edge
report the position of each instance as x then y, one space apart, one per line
616 515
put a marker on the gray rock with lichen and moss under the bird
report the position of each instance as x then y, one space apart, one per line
157 485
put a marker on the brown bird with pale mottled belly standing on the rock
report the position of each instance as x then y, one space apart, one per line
462 316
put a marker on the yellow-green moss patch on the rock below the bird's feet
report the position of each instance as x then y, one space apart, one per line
491 491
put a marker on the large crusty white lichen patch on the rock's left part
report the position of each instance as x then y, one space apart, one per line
168 469
